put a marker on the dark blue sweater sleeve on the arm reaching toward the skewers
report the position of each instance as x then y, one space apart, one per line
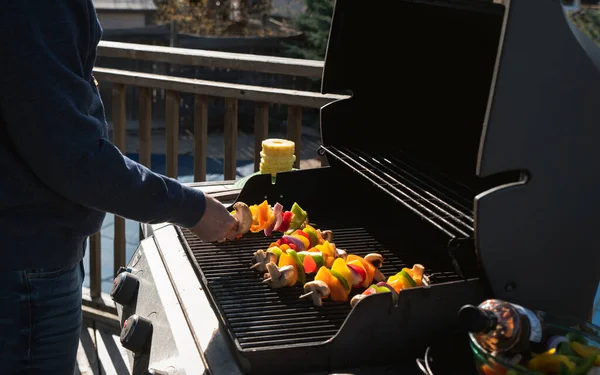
55 118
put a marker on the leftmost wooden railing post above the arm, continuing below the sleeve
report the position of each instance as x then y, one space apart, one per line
119 127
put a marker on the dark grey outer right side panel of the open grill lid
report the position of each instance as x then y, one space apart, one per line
543 119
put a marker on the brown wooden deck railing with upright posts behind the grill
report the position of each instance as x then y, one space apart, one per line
201 89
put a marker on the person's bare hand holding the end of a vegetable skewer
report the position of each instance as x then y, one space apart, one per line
216 224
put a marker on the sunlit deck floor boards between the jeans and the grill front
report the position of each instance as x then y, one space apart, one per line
101 353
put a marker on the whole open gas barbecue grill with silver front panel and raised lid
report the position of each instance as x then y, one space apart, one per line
401 182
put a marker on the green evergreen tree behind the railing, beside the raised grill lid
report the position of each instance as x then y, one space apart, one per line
314 24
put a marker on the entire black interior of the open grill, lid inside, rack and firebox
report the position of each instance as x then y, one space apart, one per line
401 182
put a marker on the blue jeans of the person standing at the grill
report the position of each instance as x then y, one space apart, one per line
40 320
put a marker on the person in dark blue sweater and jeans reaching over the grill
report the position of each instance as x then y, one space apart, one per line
59 174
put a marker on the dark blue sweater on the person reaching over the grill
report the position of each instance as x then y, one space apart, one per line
59 173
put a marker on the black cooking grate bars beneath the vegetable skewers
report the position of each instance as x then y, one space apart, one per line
258 317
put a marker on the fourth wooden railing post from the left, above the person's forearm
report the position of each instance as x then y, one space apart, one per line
200 136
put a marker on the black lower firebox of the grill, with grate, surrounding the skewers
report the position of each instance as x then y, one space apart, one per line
271 329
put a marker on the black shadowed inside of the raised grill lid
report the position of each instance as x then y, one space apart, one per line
428 105
